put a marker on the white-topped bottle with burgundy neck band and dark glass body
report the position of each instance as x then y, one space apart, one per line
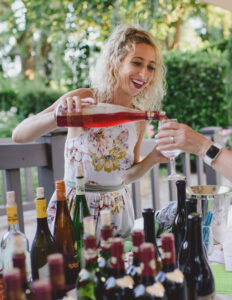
105 242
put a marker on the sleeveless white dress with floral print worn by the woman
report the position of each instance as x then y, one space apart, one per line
105 154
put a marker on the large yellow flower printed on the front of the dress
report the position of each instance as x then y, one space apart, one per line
111 161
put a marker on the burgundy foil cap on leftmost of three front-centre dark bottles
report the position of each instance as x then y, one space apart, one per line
117 254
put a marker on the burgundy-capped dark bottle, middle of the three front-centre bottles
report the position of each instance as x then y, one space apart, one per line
148 287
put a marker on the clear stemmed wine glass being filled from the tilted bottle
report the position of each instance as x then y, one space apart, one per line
171 154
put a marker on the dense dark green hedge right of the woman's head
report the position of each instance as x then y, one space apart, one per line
196 89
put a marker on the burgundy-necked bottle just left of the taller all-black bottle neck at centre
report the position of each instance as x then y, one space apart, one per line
135 270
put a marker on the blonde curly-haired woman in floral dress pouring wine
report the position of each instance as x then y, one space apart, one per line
130 73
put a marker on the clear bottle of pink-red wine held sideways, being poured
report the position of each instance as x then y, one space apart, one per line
104 115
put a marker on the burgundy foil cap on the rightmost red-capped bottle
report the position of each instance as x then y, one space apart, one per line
168 247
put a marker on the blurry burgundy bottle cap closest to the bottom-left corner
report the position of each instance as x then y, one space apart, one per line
12 279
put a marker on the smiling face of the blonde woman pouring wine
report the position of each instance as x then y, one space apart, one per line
136 72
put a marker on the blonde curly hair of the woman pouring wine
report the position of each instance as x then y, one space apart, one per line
105 78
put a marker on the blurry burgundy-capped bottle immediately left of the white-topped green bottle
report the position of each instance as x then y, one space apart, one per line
56 275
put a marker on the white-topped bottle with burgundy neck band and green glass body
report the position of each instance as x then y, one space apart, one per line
87 280
